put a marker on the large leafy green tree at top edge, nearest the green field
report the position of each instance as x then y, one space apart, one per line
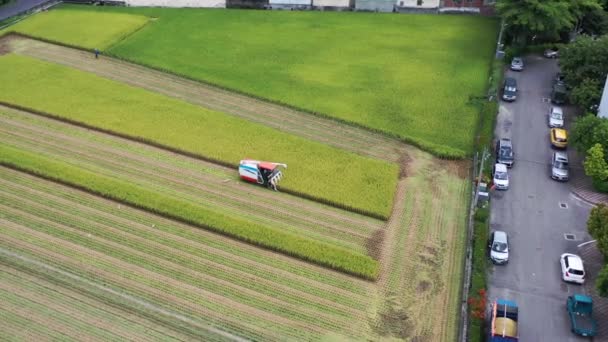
527 18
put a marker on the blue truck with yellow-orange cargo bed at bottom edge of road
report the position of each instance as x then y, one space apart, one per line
503 327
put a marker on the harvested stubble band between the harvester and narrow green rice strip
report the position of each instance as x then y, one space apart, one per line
158 170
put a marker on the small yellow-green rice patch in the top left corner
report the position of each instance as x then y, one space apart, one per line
81 28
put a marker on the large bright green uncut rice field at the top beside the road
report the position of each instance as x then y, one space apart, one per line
410 76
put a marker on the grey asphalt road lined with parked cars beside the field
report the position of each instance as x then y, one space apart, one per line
531 214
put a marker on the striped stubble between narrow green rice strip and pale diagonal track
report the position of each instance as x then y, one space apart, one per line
258 288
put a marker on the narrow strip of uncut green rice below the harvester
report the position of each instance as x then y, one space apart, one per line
303 248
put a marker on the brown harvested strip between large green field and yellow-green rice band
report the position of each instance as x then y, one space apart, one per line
316 128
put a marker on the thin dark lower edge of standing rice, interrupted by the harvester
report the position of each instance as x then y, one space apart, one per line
188 154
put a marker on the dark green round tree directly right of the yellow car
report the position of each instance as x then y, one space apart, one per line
588 131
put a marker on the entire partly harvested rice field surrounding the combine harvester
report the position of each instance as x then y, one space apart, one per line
137 227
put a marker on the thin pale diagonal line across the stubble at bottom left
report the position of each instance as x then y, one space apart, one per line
126 297
